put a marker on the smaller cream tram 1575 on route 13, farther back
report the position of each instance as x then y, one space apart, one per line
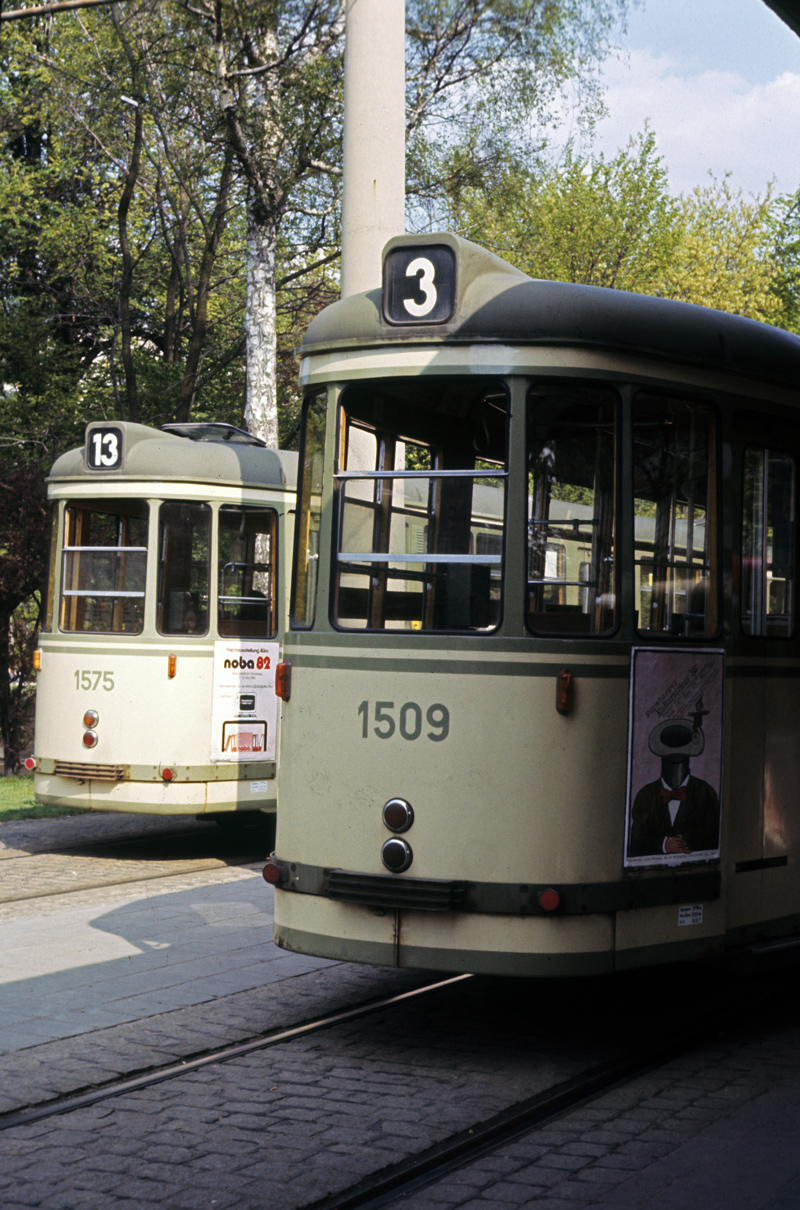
166 603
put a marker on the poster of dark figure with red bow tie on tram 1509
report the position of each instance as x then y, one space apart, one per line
675 758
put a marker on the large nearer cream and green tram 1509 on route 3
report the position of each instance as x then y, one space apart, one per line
544 649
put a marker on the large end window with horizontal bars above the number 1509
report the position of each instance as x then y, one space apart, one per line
422 503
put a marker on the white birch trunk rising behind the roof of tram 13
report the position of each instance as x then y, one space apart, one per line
261 318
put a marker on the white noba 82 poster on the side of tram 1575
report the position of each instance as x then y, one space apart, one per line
244 721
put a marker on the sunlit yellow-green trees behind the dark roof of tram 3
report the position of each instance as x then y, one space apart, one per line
614 223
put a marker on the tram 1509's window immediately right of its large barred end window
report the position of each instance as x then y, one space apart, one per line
572 510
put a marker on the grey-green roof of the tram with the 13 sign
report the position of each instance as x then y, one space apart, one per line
153 454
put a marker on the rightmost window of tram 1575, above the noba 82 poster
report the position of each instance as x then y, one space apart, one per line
246 573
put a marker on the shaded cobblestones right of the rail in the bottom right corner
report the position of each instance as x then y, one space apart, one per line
718 1130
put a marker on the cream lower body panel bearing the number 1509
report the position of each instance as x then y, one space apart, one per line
339 785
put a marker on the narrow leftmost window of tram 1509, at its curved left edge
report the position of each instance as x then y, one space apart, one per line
307 533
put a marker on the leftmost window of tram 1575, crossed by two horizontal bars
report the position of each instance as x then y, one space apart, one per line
105 563
